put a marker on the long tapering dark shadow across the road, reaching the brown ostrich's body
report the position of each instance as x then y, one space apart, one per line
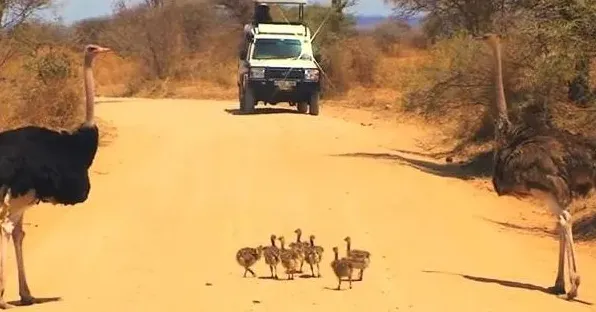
477 167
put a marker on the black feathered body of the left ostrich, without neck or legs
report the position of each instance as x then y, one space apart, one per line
54 164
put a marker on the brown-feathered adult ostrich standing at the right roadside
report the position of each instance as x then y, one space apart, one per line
550 164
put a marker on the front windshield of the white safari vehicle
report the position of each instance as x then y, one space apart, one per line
266 49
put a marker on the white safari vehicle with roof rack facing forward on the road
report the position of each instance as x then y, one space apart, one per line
277 62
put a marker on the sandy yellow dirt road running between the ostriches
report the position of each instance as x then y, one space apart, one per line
185 184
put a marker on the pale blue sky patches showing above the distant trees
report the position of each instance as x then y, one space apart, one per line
72 10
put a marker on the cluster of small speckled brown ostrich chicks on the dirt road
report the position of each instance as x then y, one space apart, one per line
292 259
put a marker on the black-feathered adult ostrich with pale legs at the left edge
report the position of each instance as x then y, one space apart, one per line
38 164
